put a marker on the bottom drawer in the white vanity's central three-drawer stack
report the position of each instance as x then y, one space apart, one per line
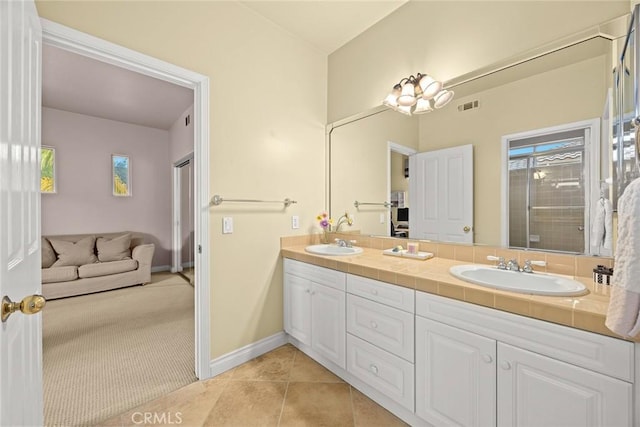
383 371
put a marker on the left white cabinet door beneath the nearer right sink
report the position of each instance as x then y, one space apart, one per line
455 376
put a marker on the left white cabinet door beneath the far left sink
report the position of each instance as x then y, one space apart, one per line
297 308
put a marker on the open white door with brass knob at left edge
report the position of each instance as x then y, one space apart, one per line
21 401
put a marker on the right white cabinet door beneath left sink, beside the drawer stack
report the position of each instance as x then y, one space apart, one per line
328 323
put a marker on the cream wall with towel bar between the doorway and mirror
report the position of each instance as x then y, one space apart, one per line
268 112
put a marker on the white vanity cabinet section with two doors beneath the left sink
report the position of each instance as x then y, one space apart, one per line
314 308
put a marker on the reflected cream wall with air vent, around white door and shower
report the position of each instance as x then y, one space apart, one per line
564 95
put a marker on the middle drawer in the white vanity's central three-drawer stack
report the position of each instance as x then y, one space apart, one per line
388 328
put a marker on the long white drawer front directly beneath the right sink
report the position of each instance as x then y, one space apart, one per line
607 355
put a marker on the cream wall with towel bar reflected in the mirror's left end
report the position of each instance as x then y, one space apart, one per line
359 166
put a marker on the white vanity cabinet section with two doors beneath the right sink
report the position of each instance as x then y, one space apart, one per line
507 370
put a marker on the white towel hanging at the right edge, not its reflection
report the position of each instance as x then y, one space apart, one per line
623 315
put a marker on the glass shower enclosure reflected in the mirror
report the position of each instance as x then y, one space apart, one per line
547 192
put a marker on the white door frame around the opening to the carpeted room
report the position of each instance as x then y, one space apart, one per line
63 37
